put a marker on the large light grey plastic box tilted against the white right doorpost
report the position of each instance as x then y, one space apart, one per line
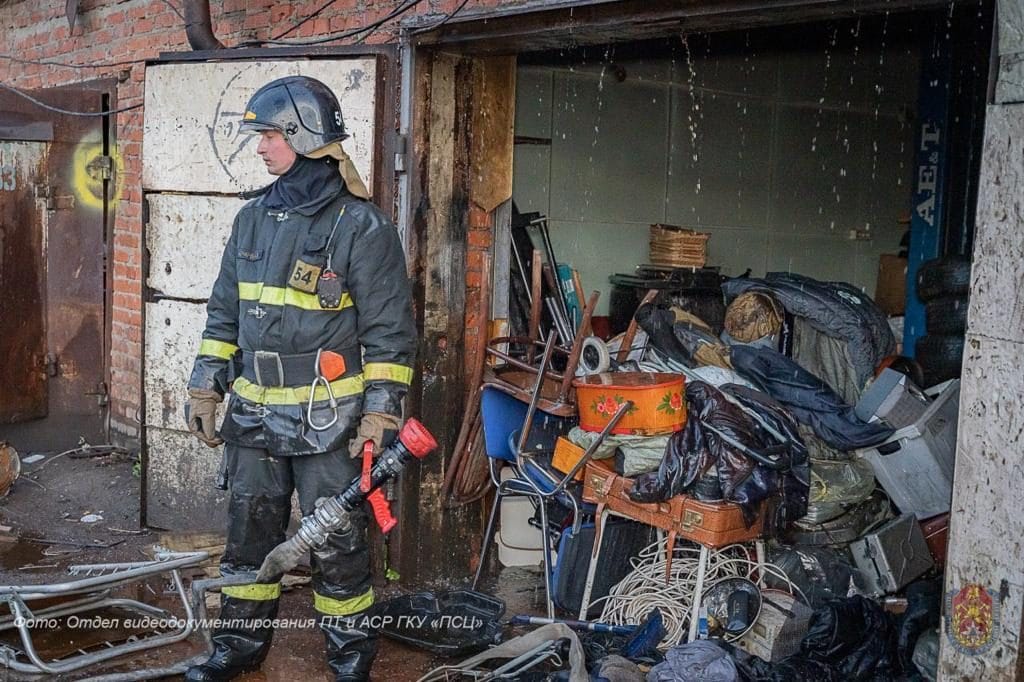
916 465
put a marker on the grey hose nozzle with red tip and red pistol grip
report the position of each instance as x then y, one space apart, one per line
414 443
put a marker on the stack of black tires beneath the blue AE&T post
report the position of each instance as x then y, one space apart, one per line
944 285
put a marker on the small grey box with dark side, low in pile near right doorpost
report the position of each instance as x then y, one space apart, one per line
892 557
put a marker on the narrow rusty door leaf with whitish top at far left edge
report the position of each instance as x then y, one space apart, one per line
23 342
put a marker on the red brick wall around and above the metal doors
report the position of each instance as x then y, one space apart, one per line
108 32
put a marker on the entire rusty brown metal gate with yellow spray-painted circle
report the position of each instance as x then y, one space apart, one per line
55 268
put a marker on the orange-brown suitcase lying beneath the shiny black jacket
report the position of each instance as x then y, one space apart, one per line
714 525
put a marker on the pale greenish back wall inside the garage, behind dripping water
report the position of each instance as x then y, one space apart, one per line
779 155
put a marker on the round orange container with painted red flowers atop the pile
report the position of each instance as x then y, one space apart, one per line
659 405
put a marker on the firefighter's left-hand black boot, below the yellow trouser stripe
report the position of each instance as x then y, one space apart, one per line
237 650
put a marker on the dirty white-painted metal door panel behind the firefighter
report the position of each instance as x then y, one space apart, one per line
195 162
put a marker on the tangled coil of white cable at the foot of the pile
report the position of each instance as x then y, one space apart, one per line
645 588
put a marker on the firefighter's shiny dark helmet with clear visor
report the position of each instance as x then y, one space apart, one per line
304 110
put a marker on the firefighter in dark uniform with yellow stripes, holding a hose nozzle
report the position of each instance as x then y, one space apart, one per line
312 268
